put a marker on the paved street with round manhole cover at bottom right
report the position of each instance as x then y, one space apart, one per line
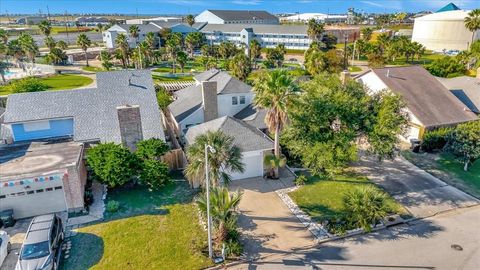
424 244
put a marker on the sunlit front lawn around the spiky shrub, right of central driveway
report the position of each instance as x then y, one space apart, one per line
322 198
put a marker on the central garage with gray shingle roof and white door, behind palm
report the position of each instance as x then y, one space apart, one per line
253 143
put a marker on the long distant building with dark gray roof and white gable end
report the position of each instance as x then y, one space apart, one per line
236 17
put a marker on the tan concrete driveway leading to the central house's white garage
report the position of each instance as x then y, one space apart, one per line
268 227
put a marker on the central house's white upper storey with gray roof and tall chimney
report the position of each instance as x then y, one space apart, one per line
215 94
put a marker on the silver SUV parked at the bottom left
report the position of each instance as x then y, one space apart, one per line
41 249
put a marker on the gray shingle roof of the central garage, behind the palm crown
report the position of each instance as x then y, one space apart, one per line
246 137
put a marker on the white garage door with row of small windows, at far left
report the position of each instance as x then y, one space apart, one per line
33 196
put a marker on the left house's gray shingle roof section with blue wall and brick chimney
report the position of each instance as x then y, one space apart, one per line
121 109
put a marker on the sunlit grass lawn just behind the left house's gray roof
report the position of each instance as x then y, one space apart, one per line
58 82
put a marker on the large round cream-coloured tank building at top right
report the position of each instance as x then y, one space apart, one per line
443 30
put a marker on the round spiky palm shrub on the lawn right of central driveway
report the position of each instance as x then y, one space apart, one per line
365 206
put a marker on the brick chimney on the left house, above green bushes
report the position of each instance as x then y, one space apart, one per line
130 123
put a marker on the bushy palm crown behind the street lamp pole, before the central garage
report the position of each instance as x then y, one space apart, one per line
227 158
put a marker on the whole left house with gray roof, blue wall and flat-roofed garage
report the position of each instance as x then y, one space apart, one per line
45 134
